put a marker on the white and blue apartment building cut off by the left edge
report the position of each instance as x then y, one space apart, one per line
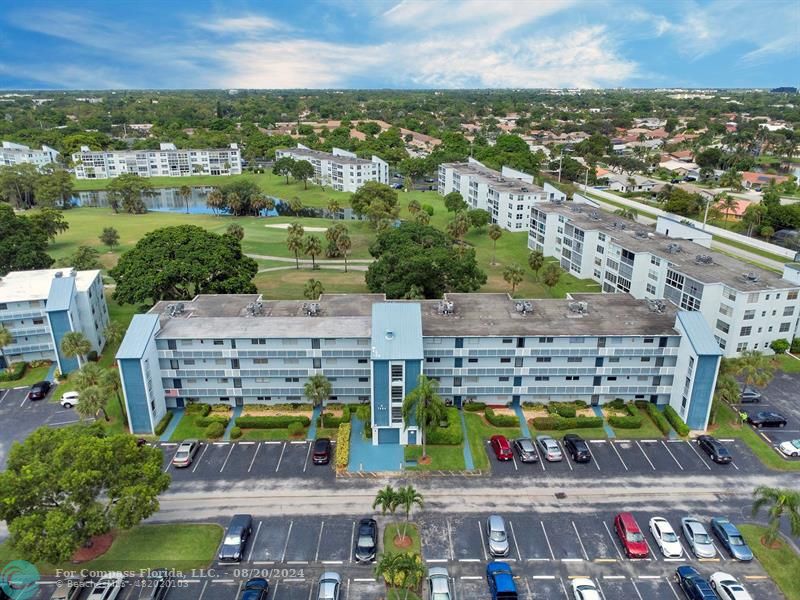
39 307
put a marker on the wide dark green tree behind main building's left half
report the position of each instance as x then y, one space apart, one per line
177 263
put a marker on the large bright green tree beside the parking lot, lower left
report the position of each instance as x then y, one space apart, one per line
64 485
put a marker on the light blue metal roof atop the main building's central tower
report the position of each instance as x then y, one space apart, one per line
396 331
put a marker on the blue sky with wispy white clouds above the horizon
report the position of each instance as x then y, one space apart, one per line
99 44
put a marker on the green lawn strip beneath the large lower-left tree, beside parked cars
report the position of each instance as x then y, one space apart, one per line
174 546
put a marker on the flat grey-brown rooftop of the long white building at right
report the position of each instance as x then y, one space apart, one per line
683 254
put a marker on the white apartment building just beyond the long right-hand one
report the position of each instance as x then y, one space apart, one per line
507 195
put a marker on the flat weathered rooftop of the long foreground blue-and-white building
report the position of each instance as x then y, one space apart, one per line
350 316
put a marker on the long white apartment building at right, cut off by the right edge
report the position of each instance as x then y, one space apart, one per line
745 306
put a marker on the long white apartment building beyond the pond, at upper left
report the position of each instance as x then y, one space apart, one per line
168 161
